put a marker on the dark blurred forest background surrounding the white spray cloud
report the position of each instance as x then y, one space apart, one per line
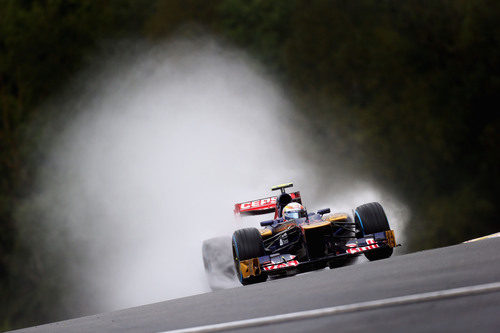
411 87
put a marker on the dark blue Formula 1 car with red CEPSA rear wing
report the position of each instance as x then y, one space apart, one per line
286 246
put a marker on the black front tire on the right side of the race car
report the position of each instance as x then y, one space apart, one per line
370 218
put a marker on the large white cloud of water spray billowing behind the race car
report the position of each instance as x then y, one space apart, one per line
163 143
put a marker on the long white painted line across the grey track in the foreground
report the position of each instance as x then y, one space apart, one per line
416 298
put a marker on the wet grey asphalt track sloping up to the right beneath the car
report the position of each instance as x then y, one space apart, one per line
457 266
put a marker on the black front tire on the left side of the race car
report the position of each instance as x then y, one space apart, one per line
248 244
